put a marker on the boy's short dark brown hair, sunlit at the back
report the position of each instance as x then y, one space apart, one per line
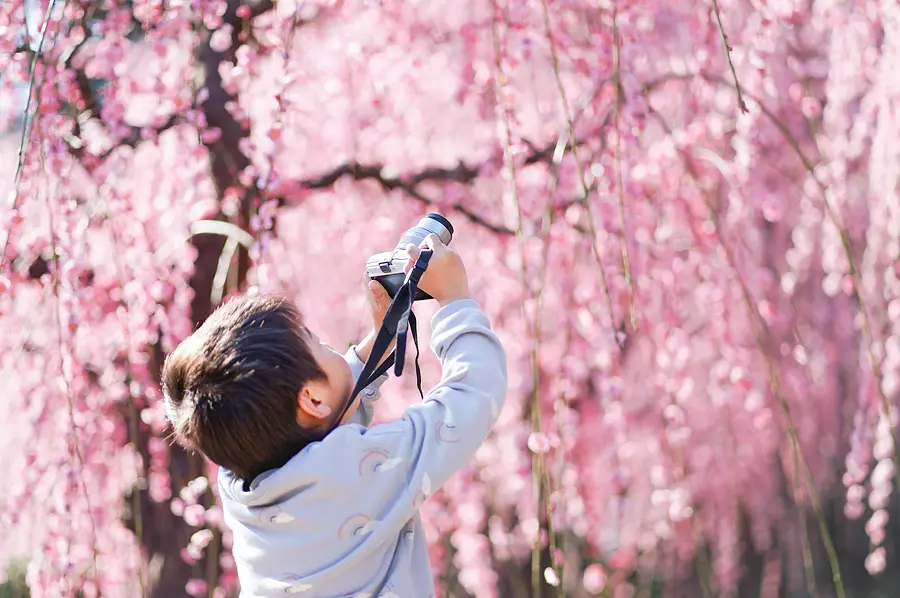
231 388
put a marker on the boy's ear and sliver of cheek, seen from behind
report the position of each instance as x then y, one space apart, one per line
321 400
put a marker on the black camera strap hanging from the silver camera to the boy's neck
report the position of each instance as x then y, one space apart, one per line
398 322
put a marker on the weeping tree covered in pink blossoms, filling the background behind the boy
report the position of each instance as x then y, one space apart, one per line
683 219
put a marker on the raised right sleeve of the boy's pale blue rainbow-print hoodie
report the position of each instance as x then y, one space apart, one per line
407 460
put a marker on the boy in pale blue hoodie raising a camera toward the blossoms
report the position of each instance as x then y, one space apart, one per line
331 515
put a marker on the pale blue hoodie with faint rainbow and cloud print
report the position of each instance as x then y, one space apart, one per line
340 519
